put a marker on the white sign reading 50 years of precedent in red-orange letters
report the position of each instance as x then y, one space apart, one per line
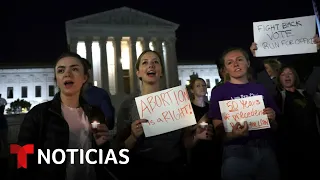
248 109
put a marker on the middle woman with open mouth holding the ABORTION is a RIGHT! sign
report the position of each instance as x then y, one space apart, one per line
156 157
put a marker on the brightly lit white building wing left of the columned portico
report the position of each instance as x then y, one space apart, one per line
35 85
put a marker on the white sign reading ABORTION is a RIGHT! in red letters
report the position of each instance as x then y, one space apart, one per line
166 111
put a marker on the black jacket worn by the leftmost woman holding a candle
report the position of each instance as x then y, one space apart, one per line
45 127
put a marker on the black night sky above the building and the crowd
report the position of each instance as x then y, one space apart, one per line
35 31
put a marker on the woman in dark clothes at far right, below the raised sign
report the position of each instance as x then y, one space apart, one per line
299 139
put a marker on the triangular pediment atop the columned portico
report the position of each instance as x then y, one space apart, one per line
122 17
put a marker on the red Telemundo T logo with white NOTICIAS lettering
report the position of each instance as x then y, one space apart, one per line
49 157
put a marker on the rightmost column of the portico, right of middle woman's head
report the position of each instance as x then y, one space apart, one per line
172 64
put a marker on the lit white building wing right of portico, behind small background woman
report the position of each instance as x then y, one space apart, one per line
208 72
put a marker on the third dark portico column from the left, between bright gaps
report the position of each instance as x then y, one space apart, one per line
104 64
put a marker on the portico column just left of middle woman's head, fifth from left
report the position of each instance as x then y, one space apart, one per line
133 60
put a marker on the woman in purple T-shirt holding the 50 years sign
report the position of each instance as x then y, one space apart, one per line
247 154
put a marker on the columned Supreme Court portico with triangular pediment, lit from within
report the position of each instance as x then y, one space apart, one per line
113 40
